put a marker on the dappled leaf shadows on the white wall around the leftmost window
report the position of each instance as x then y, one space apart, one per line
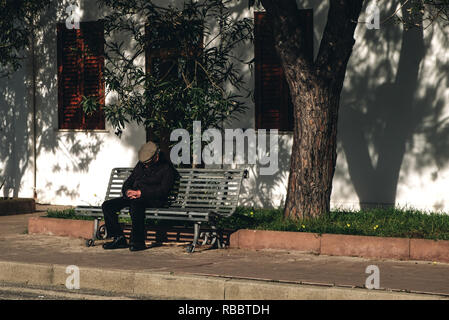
16 139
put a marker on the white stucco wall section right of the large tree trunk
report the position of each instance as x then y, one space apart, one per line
393 117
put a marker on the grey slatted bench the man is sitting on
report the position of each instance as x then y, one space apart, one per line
198 196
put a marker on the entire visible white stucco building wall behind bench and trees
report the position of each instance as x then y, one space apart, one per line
392 127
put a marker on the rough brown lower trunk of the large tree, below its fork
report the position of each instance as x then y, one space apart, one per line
314 154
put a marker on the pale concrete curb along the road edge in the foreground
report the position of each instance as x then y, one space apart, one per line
190 286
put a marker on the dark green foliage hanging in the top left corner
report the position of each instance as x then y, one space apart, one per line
16 24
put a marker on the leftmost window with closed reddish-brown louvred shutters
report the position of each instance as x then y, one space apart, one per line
80 75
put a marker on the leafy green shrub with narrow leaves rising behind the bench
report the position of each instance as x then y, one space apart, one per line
193 71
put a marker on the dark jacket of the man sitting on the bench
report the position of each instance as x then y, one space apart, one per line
154 182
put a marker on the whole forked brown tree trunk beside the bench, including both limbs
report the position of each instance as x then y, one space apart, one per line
315 87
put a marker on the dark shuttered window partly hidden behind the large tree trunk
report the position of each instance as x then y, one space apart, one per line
274 108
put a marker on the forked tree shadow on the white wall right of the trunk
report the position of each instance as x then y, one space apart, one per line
385 105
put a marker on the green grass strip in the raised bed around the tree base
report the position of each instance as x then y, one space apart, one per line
385 222
